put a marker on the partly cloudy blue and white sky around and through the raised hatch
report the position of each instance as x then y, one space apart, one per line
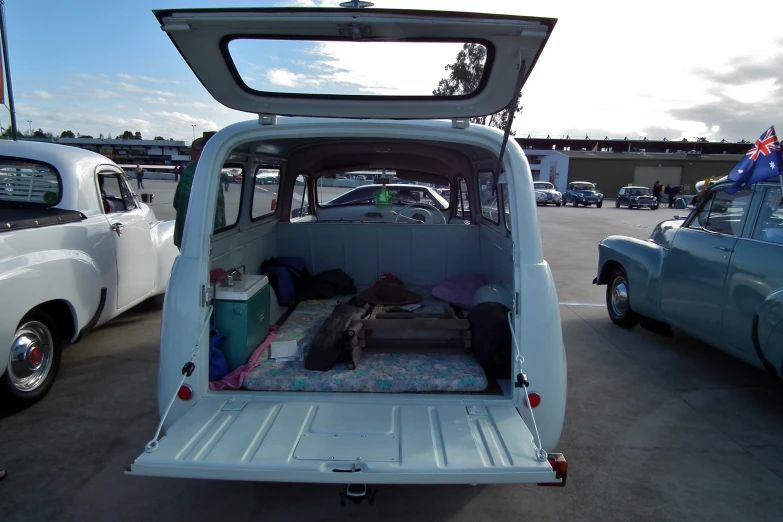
674 69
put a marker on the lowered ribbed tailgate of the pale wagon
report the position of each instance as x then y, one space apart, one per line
361 441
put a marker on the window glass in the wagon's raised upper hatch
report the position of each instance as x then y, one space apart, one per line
352 68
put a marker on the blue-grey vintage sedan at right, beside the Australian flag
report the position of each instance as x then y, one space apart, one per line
716 274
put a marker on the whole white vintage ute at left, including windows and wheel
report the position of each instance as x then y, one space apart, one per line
77 248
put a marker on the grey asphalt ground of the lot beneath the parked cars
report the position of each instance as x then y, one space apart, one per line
663 429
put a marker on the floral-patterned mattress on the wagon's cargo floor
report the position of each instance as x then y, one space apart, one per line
377 372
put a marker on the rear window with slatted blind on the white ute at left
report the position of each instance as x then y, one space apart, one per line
25 181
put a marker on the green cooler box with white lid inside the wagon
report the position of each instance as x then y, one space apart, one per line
242 314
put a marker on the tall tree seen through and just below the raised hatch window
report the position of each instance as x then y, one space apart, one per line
464 78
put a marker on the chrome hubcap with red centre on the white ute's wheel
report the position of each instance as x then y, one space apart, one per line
31 356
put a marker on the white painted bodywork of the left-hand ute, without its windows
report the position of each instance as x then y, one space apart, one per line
83 272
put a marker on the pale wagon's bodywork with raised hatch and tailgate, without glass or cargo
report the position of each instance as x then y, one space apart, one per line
400 438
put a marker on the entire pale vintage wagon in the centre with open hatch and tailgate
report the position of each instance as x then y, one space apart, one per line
428 418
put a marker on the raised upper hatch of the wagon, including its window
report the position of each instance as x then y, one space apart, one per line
354 63
